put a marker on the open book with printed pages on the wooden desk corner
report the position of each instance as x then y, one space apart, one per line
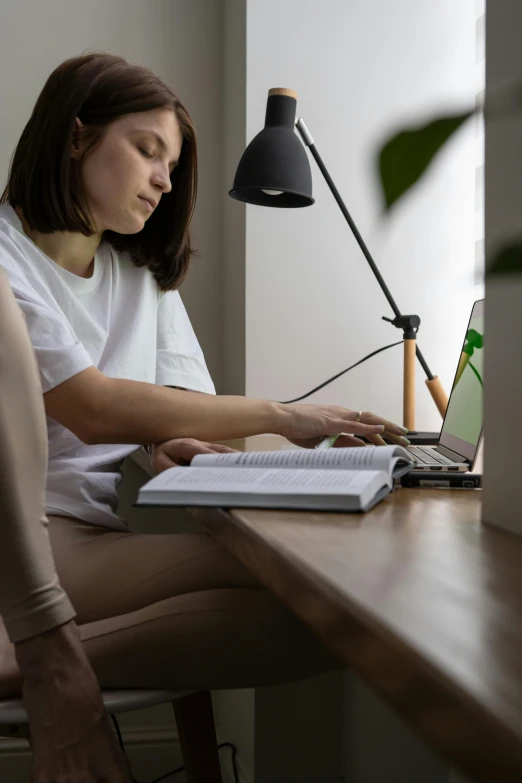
341 479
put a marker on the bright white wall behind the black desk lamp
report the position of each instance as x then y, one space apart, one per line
361 68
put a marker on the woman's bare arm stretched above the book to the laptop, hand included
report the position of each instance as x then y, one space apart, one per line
99 409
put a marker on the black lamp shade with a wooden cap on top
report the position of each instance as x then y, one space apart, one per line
275 160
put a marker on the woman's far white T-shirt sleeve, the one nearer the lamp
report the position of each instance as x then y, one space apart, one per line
179 358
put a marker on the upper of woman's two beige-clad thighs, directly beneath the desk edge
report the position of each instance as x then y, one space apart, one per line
107 573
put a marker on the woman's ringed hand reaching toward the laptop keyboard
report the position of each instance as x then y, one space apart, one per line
307 425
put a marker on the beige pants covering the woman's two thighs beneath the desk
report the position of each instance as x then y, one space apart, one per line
177 611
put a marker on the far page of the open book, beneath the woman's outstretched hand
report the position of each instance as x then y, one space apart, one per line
357 458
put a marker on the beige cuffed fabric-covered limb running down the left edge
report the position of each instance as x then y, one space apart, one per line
31 598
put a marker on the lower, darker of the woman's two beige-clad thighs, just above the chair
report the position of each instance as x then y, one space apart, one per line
212 639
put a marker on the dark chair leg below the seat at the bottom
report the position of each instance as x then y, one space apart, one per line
197 735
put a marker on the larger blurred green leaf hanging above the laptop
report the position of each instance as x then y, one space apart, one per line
404 158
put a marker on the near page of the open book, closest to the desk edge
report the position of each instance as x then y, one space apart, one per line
244 480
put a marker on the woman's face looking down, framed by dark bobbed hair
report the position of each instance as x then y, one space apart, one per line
128 172
